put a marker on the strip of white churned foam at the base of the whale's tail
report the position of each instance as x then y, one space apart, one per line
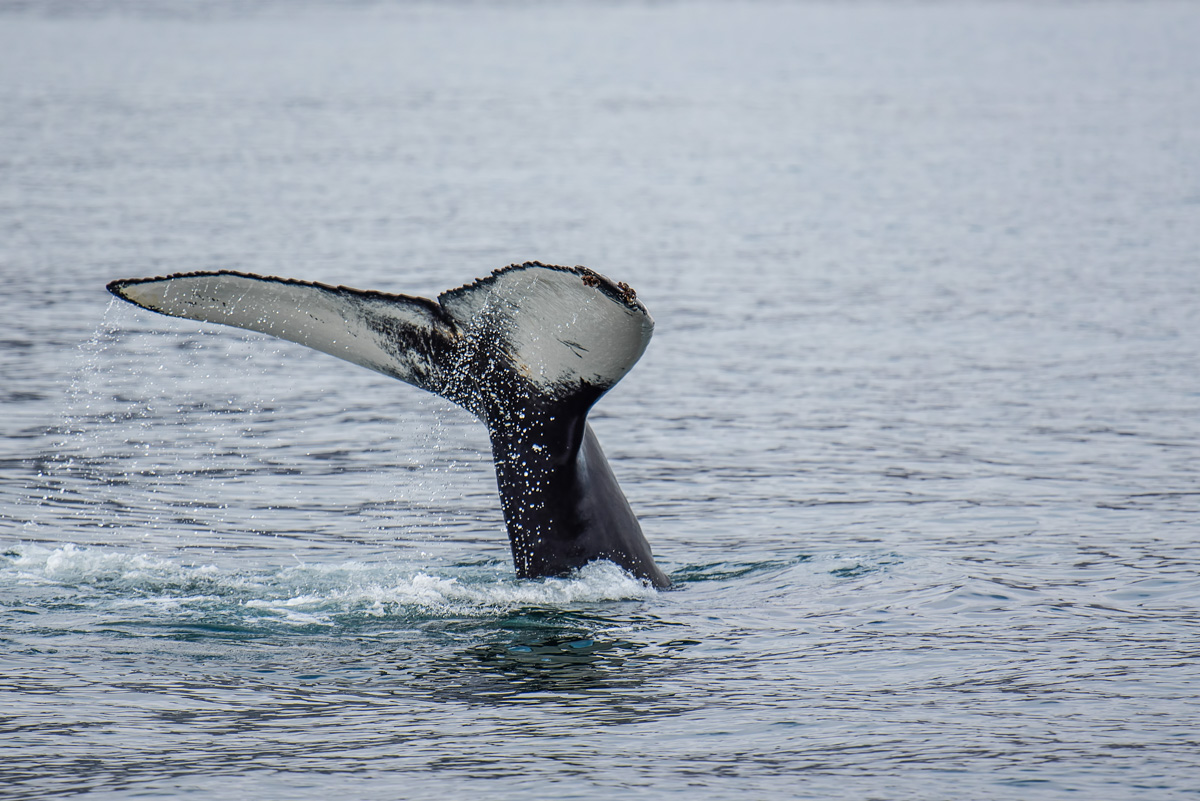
310 594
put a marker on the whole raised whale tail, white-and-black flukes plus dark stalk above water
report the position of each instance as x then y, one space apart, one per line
527 350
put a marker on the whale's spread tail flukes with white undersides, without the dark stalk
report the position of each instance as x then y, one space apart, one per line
559 328
